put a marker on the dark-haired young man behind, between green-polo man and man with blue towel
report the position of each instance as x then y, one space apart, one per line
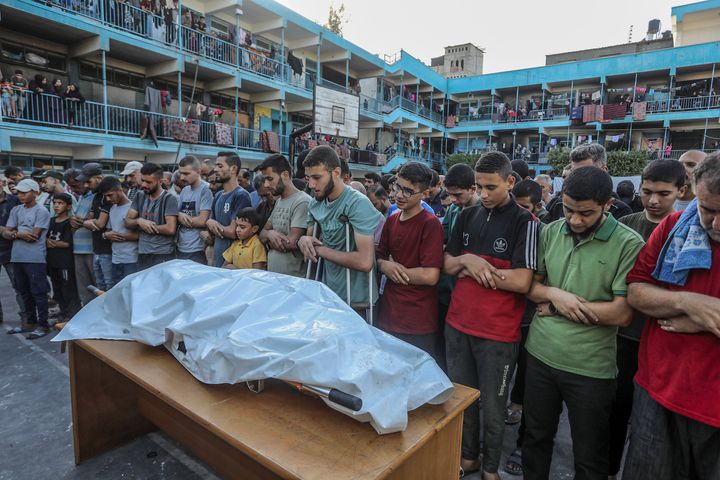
662 183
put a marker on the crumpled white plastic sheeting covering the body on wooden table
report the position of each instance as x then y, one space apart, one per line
241 325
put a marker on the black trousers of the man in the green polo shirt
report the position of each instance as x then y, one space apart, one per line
588 401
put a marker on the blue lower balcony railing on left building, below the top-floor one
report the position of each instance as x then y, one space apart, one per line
54 111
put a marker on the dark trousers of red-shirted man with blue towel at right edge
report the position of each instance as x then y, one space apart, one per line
665 445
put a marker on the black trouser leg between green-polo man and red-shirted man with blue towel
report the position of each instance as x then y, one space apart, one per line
627 351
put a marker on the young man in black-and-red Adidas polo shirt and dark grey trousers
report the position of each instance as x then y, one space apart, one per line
492 252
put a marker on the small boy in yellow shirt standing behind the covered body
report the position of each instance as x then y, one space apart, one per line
247 251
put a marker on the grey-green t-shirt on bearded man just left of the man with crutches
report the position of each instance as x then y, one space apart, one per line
288 213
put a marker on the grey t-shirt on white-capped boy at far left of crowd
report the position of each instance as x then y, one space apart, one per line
25 220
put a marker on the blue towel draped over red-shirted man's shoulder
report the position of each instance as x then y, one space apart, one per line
687 248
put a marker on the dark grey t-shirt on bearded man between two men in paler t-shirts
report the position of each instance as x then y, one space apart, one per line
155 211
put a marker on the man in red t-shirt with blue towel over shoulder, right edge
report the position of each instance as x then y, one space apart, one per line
676 408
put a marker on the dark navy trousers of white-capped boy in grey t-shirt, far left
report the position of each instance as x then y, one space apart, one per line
31 283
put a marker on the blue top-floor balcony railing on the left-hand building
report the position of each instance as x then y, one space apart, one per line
128 18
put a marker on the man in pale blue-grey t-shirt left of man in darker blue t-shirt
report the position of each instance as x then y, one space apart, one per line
195 205
